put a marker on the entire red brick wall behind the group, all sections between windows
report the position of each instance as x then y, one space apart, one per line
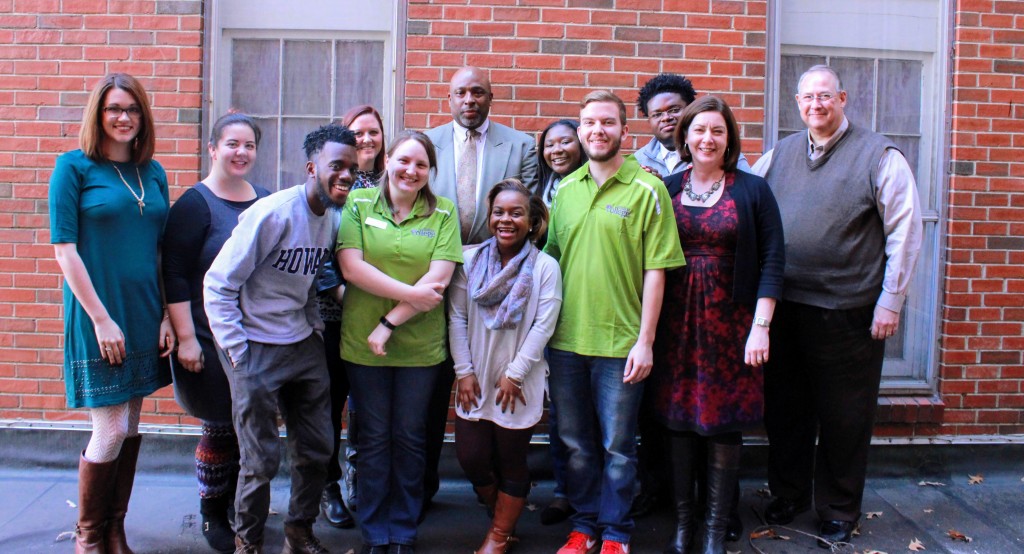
546 55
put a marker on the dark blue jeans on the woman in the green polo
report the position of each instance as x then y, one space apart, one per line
393 442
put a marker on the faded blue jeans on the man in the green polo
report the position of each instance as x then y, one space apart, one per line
598 422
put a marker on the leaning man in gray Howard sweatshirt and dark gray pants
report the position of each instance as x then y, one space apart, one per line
261 300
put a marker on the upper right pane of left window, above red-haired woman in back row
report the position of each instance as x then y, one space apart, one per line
361 75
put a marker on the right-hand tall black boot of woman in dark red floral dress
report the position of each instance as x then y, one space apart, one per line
723 468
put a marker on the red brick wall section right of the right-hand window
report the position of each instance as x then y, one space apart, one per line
984 309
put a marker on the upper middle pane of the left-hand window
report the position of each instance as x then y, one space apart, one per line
307 79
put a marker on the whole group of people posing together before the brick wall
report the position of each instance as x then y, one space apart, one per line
674 293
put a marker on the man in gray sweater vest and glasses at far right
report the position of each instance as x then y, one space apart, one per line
852 224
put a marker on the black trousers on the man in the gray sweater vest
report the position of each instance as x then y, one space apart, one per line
822 382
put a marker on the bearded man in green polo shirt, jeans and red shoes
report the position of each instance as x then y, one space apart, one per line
614 234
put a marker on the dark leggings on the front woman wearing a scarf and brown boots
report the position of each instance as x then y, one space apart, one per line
490 453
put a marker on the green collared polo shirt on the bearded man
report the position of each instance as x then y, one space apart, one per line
605 239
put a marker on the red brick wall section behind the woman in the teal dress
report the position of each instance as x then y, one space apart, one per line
52 55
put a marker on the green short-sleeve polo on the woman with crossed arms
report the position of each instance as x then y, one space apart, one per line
404 251
